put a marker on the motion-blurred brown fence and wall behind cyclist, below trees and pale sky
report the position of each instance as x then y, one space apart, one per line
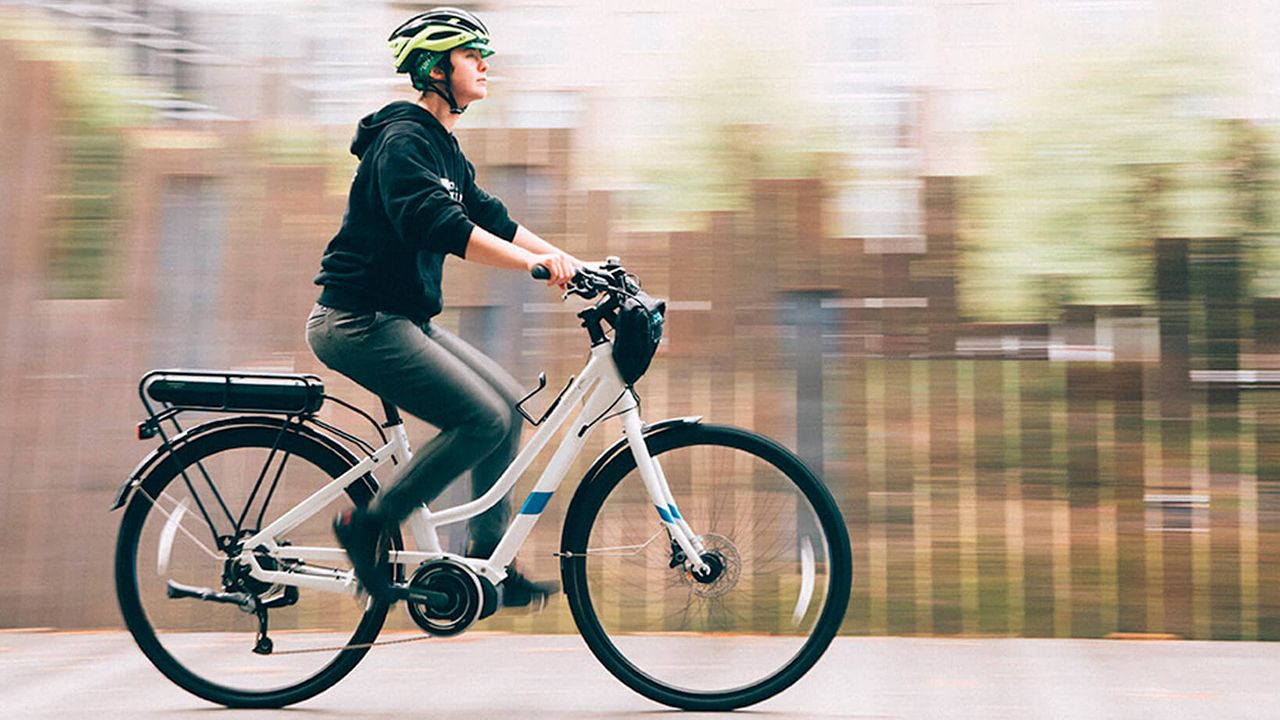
1110 472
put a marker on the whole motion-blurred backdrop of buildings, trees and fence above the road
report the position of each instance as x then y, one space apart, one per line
1005 272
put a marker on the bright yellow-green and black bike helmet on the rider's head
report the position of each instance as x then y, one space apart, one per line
424 40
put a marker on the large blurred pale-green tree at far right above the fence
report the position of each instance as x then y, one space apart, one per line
1130 148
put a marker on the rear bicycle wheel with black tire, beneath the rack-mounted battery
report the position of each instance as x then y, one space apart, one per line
203 614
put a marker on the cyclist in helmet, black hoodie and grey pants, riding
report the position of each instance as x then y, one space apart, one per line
413 202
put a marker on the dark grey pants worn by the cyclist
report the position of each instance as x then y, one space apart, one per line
437 377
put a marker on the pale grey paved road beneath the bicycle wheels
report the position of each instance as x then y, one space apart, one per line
493 676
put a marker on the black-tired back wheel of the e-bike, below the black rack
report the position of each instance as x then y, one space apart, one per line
185 639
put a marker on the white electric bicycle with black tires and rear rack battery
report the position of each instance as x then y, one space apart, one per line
714 603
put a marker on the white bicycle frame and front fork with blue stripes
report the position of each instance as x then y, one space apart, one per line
602 389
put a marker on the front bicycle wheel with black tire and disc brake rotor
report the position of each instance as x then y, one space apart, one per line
724 644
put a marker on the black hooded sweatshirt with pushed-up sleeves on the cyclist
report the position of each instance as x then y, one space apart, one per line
414 199
